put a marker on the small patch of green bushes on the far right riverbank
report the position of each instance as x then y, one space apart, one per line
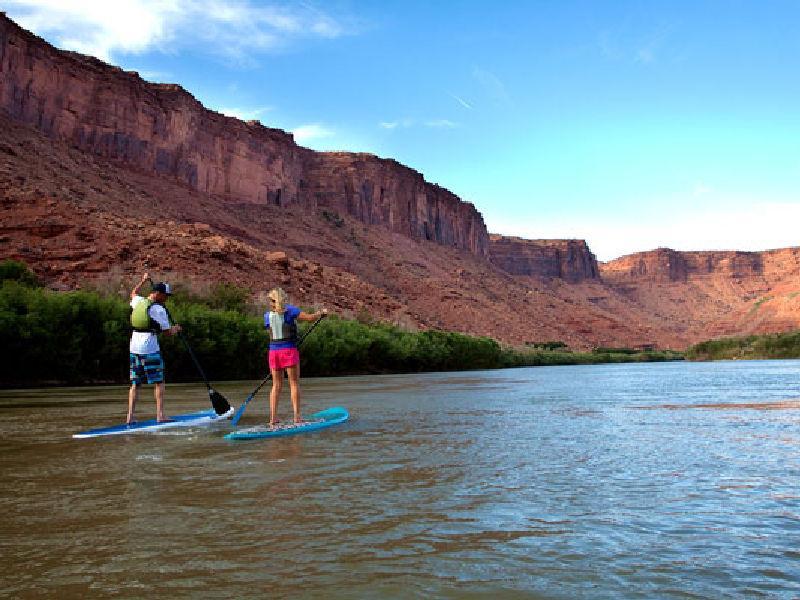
779 345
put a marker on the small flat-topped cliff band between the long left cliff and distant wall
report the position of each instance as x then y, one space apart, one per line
570 260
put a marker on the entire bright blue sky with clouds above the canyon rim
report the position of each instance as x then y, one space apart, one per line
632 125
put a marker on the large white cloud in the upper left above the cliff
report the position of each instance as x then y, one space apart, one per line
233 29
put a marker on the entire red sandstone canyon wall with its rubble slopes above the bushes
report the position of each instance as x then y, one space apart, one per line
102 172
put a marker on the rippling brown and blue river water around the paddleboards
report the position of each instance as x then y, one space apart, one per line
545 482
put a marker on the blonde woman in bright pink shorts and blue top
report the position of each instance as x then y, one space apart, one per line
281 320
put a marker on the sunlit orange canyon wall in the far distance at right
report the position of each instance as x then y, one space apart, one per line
709 294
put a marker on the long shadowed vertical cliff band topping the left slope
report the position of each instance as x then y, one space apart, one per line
162 129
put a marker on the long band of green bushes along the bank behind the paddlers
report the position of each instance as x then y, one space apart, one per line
49 337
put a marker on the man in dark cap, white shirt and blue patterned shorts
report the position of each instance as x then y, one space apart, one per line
148 319
